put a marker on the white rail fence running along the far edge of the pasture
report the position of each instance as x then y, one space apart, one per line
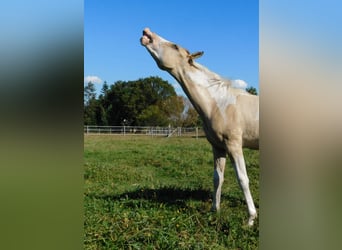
150 131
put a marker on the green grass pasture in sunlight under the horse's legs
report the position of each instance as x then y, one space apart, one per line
155 193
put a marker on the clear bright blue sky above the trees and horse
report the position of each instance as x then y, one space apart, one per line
227 32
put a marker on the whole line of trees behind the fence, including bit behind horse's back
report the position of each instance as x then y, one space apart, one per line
149 101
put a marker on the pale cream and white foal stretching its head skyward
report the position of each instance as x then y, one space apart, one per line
230 115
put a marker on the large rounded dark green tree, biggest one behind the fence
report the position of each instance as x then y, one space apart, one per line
141 103
